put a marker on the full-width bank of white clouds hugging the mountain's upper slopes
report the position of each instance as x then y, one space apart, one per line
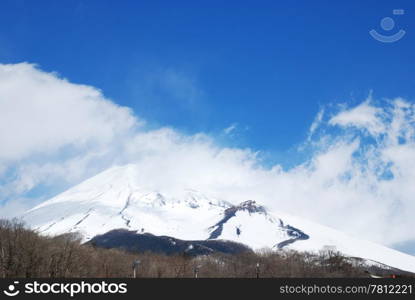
359 177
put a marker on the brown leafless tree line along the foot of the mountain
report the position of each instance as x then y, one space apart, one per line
26 253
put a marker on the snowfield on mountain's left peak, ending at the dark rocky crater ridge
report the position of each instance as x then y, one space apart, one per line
113 199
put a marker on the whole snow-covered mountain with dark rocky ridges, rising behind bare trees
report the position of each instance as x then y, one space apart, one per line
114 199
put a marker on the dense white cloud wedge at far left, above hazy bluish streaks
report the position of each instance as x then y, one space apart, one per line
41 113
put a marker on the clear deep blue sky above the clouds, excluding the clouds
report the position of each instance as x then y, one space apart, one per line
268 66
